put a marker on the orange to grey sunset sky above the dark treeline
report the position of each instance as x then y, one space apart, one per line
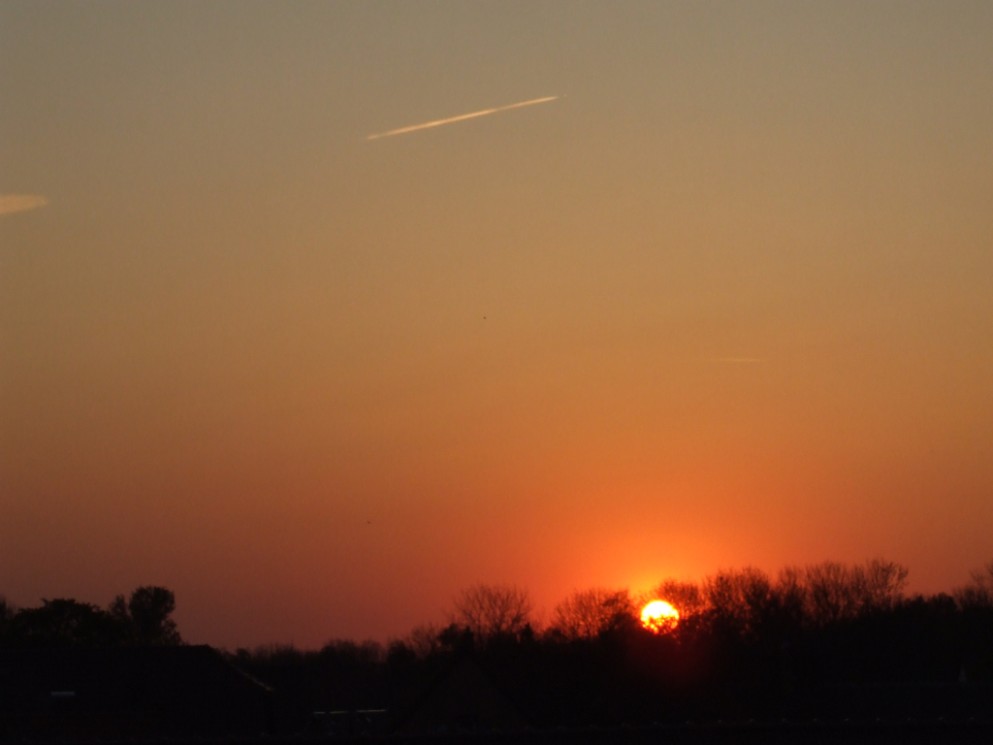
723 298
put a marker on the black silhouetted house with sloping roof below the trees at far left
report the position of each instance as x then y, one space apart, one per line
128 692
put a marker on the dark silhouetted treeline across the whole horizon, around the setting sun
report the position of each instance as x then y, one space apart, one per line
826 640
